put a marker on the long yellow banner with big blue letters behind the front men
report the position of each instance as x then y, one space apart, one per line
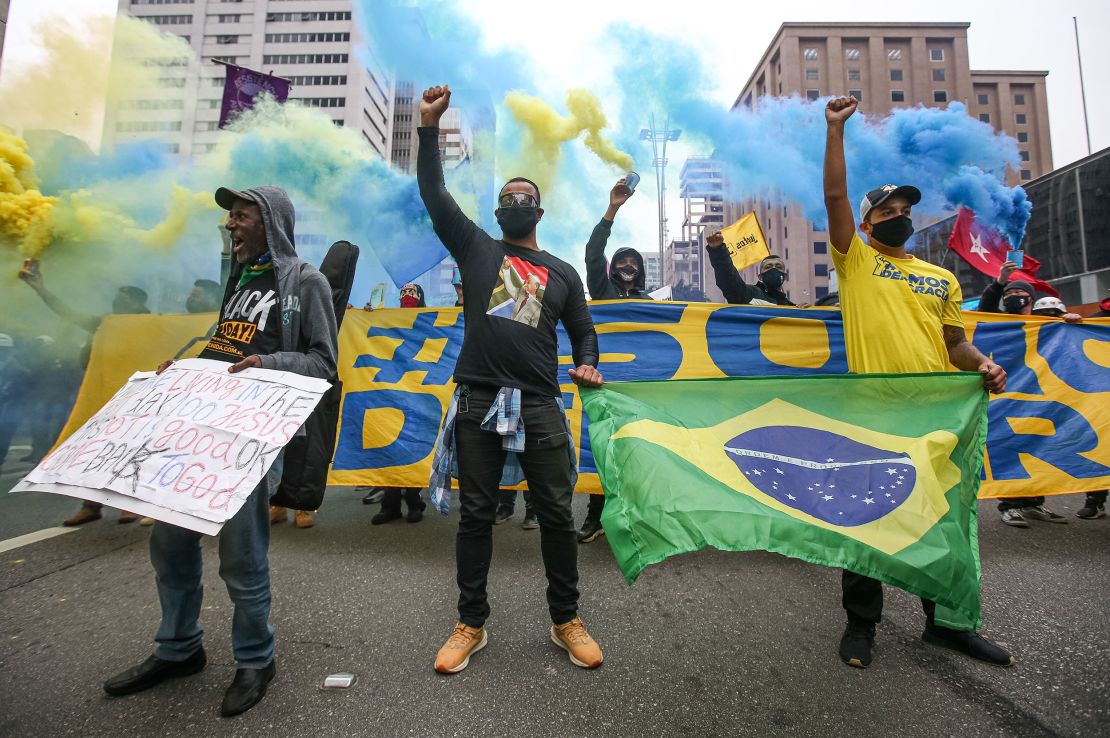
1048 434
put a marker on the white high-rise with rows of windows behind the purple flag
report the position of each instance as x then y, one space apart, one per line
314 44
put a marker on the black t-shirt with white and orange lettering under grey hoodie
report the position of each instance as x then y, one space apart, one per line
250 322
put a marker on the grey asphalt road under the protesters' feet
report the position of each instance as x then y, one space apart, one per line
709 644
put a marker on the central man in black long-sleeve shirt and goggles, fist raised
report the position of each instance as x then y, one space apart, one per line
508 372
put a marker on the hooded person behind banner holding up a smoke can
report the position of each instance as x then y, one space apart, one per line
625 280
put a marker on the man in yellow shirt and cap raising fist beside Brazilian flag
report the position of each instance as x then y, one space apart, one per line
901 316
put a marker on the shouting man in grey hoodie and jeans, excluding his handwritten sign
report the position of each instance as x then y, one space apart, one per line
277 315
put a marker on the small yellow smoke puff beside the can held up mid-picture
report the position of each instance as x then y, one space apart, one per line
547 132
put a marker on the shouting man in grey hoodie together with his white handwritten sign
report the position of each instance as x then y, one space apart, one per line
198 446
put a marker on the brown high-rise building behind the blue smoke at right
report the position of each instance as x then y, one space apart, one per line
886 67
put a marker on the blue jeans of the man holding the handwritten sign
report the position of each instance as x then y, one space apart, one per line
245 568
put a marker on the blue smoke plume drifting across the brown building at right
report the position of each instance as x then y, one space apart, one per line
779 146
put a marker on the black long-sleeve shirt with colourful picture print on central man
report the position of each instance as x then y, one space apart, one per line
513 298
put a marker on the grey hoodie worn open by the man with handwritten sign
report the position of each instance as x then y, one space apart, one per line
310 345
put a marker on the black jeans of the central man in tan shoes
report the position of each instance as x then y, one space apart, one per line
550 476
